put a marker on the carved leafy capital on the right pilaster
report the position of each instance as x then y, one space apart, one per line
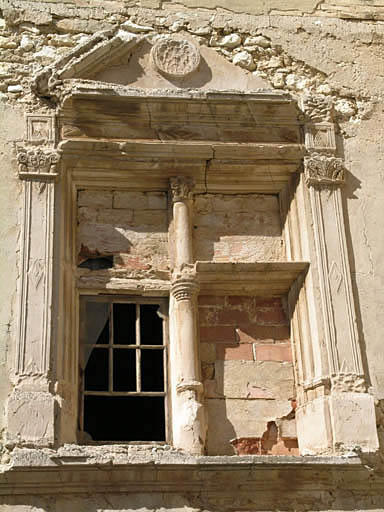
324 170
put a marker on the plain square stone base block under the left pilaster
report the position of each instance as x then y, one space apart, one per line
30 417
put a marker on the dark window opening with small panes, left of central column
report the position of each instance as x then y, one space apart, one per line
123 369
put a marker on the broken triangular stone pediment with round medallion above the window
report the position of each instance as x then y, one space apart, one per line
150 61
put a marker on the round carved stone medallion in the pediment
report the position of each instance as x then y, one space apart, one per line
174 57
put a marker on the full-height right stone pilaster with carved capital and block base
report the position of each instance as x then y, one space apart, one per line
335 410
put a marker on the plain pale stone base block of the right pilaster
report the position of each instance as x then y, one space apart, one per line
337 423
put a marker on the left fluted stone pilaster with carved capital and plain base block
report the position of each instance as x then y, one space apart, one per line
30 411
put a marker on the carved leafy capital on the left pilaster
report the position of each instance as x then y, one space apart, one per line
38 163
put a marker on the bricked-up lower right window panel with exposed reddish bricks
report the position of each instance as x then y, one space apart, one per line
247 370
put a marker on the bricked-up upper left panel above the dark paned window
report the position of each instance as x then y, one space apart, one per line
130 227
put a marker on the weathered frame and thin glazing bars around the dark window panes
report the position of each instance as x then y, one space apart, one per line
138 300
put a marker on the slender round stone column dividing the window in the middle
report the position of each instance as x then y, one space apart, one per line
188 416
